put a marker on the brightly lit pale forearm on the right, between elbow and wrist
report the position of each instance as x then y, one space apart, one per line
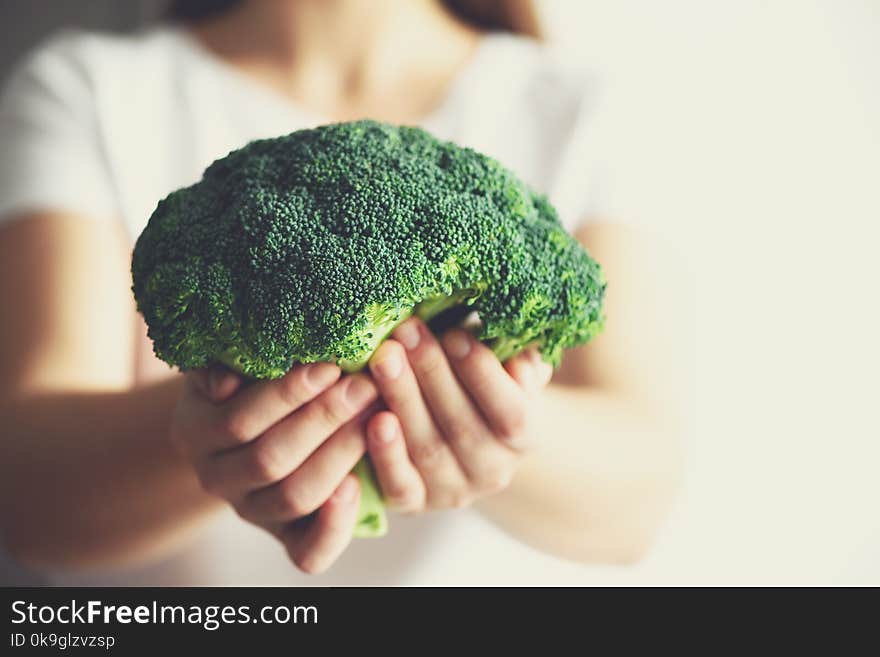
599 480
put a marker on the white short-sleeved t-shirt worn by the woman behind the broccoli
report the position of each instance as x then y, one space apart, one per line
105 126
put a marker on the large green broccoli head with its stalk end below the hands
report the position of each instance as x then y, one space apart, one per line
314 246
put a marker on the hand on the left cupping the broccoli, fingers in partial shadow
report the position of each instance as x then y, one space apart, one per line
280 451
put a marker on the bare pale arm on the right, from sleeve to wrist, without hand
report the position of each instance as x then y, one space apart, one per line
606 463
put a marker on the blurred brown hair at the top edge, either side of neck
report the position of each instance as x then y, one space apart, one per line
516 16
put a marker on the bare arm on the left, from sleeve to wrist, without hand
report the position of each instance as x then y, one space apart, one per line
87 474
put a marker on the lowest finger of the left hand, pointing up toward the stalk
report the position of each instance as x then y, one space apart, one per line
315 544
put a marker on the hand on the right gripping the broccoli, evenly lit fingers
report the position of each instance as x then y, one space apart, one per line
457 423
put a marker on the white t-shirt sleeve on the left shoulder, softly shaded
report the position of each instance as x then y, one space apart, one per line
52 157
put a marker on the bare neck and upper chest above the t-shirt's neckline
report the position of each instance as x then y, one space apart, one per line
388 59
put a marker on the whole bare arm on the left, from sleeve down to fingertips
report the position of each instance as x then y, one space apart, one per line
98 470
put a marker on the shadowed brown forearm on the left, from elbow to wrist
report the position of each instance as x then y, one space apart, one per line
90 479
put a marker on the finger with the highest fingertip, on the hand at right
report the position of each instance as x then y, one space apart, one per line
484 462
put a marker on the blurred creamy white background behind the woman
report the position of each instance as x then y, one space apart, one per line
746 134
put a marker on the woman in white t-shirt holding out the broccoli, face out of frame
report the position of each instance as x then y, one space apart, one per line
114 464
